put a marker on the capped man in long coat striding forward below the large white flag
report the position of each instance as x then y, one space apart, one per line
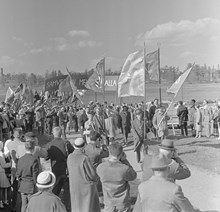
139 133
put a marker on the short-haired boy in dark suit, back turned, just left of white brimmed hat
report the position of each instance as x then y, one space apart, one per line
27 171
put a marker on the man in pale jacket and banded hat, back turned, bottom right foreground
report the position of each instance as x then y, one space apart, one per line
159 194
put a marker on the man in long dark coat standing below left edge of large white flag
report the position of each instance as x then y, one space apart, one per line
126 123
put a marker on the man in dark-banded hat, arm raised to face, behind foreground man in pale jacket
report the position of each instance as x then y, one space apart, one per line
178 169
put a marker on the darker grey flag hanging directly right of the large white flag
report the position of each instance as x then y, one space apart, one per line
152 66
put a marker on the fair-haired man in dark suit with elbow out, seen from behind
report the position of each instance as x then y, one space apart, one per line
58 151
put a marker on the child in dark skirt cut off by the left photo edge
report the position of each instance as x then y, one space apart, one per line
4 182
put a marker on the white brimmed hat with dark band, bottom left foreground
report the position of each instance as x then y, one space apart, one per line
45 179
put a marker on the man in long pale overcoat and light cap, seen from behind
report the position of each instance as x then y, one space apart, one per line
82 178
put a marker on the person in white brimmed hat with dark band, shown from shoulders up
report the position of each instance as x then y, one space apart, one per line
44 200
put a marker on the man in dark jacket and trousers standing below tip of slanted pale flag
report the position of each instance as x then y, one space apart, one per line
182 113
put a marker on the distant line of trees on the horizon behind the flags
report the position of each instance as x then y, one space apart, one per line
199 74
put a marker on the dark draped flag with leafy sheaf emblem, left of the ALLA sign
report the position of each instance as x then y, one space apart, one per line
96 80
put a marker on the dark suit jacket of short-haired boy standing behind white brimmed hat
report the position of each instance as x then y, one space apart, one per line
27 171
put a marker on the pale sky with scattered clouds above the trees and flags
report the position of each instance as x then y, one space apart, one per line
40 35
